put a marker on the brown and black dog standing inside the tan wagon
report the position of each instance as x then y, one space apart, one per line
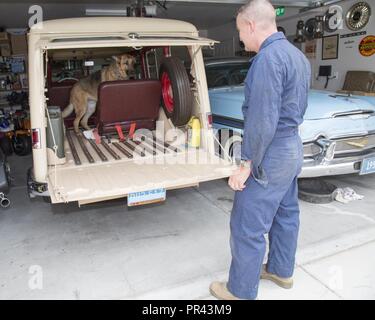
84 93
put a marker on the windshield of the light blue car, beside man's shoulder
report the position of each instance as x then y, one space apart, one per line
228 74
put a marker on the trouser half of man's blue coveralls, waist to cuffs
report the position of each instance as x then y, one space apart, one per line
258 209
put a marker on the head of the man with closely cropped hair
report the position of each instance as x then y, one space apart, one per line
256 21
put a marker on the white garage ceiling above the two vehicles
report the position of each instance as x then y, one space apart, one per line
204 14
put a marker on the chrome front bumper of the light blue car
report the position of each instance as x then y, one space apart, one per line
314 168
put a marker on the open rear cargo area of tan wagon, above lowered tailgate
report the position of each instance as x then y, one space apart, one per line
159 92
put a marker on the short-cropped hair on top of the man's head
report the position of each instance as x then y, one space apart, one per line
261 12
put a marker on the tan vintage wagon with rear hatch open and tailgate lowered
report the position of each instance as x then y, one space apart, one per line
150 133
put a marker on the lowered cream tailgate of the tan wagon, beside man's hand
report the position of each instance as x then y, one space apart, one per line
104 181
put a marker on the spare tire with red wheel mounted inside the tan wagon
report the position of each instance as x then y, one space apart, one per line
177 98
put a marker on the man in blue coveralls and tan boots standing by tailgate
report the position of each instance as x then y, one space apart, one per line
266 200
